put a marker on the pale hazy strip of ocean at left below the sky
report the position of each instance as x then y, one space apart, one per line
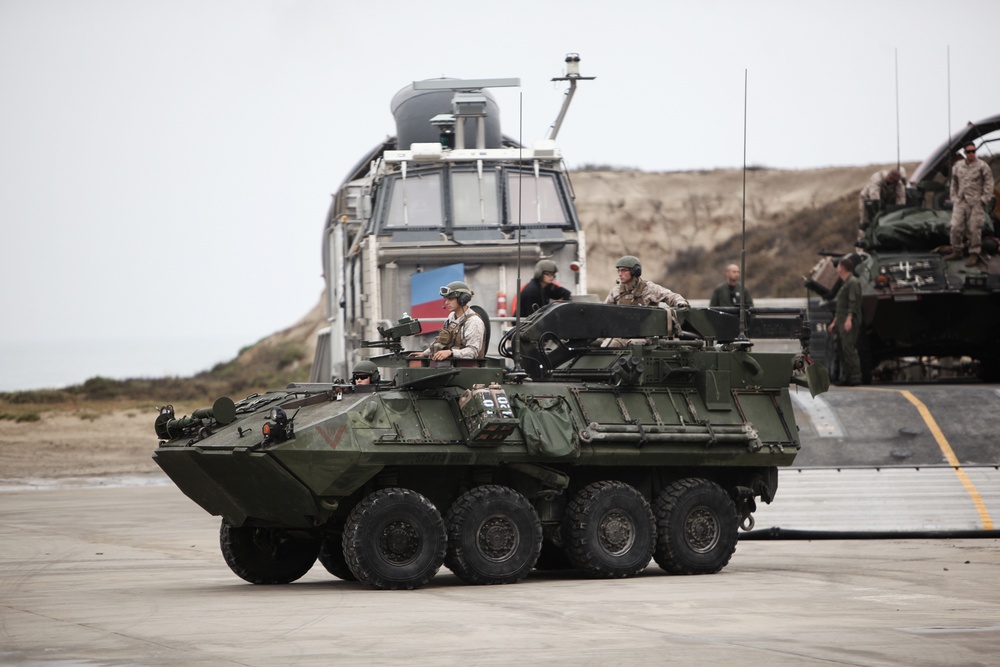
55 364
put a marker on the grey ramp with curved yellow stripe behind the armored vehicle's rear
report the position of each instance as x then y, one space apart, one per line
885 459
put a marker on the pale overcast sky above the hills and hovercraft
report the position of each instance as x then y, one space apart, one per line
165 166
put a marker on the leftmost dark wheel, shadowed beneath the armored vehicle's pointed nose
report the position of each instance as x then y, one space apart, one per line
266 555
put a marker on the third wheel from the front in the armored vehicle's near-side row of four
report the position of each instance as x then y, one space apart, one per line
609 530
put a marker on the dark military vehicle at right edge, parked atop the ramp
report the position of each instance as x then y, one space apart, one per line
924 317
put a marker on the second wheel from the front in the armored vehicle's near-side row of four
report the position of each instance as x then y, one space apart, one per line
494 536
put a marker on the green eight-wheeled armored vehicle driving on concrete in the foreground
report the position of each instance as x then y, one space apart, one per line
582 455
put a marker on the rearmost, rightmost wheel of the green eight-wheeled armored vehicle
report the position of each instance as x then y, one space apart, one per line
696 527
